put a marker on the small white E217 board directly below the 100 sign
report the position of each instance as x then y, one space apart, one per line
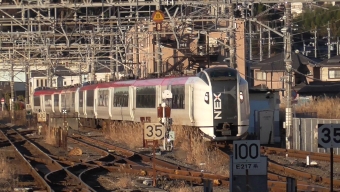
259 168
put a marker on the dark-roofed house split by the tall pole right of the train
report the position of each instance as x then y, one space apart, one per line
270 72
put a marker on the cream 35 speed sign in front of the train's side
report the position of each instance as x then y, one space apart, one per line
153 131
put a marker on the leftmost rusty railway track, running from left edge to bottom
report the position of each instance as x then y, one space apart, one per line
53 175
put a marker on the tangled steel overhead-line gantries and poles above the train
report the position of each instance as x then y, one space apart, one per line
90 35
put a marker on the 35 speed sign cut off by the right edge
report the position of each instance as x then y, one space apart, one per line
328 135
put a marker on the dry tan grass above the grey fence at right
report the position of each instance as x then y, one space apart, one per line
328 108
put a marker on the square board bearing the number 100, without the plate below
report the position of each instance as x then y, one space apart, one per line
246 151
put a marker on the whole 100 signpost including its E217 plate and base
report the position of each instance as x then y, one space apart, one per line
249 168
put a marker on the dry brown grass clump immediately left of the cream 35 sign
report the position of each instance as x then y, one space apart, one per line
131 134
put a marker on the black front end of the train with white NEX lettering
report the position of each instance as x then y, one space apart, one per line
230 104
